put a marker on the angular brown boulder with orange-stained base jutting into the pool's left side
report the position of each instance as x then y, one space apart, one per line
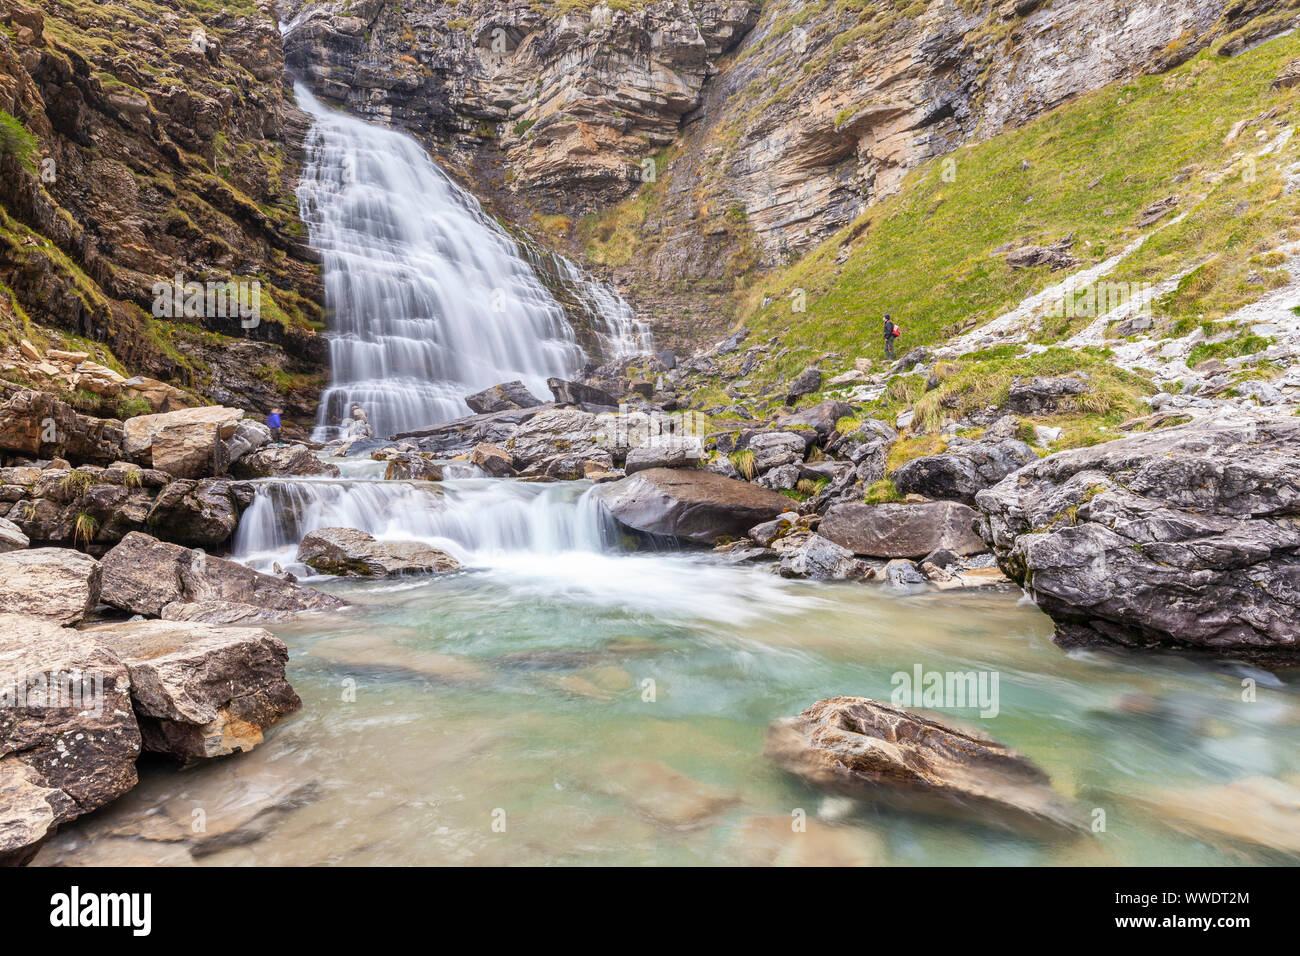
200 690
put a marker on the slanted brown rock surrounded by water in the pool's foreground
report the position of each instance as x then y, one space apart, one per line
868 750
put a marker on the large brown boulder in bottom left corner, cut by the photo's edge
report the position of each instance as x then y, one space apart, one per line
68 736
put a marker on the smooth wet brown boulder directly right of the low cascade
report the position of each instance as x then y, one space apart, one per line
691 505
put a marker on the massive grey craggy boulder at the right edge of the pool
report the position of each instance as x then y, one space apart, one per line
1186 538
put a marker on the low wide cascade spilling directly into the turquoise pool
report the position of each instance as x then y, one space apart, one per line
475 520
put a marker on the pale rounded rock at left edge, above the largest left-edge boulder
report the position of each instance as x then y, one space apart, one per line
55 585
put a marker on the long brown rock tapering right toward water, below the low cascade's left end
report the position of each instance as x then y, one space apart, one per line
144 576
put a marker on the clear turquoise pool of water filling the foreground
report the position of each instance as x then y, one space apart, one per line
502 716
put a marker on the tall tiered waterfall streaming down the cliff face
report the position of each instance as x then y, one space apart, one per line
430 299
